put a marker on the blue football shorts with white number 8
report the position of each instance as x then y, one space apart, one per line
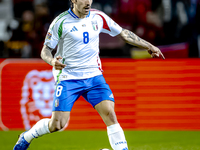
94 90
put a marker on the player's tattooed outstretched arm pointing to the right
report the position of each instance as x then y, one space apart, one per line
133 39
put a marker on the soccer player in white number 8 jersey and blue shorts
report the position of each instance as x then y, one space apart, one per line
77 70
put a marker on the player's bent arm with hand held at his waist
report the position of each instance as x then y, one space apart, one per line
48 58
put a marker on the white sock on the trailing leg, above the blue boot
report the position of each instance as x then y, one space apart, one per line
39 129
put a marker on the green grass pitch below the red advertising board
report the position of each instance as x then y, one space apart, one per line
95 140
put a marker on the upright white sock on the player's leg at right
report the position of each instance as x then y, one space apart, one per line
116 137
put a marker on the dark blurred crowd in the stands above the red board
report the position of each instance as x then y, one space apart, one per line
24 24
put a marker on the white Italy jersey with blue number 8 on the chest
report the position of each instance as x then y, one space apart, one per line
78 43
